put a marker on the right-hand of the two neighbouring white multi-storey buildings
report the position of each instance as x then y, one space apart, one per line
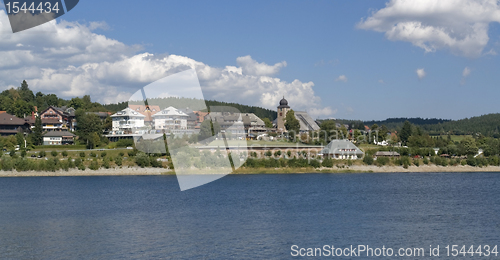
170 118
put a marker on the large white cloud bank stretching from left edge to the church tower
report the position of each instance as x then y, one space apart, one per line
70 59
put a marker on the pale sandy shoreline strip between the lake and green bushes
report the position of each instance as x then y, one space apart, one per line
137 171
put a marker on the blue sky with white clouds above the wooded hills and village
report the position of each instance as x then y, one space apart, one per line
340 59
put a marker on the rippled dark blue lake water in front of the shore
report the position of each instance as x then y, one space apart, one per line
244 217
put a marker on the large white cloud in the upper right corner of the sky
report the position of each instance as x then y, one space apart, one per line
458 25
